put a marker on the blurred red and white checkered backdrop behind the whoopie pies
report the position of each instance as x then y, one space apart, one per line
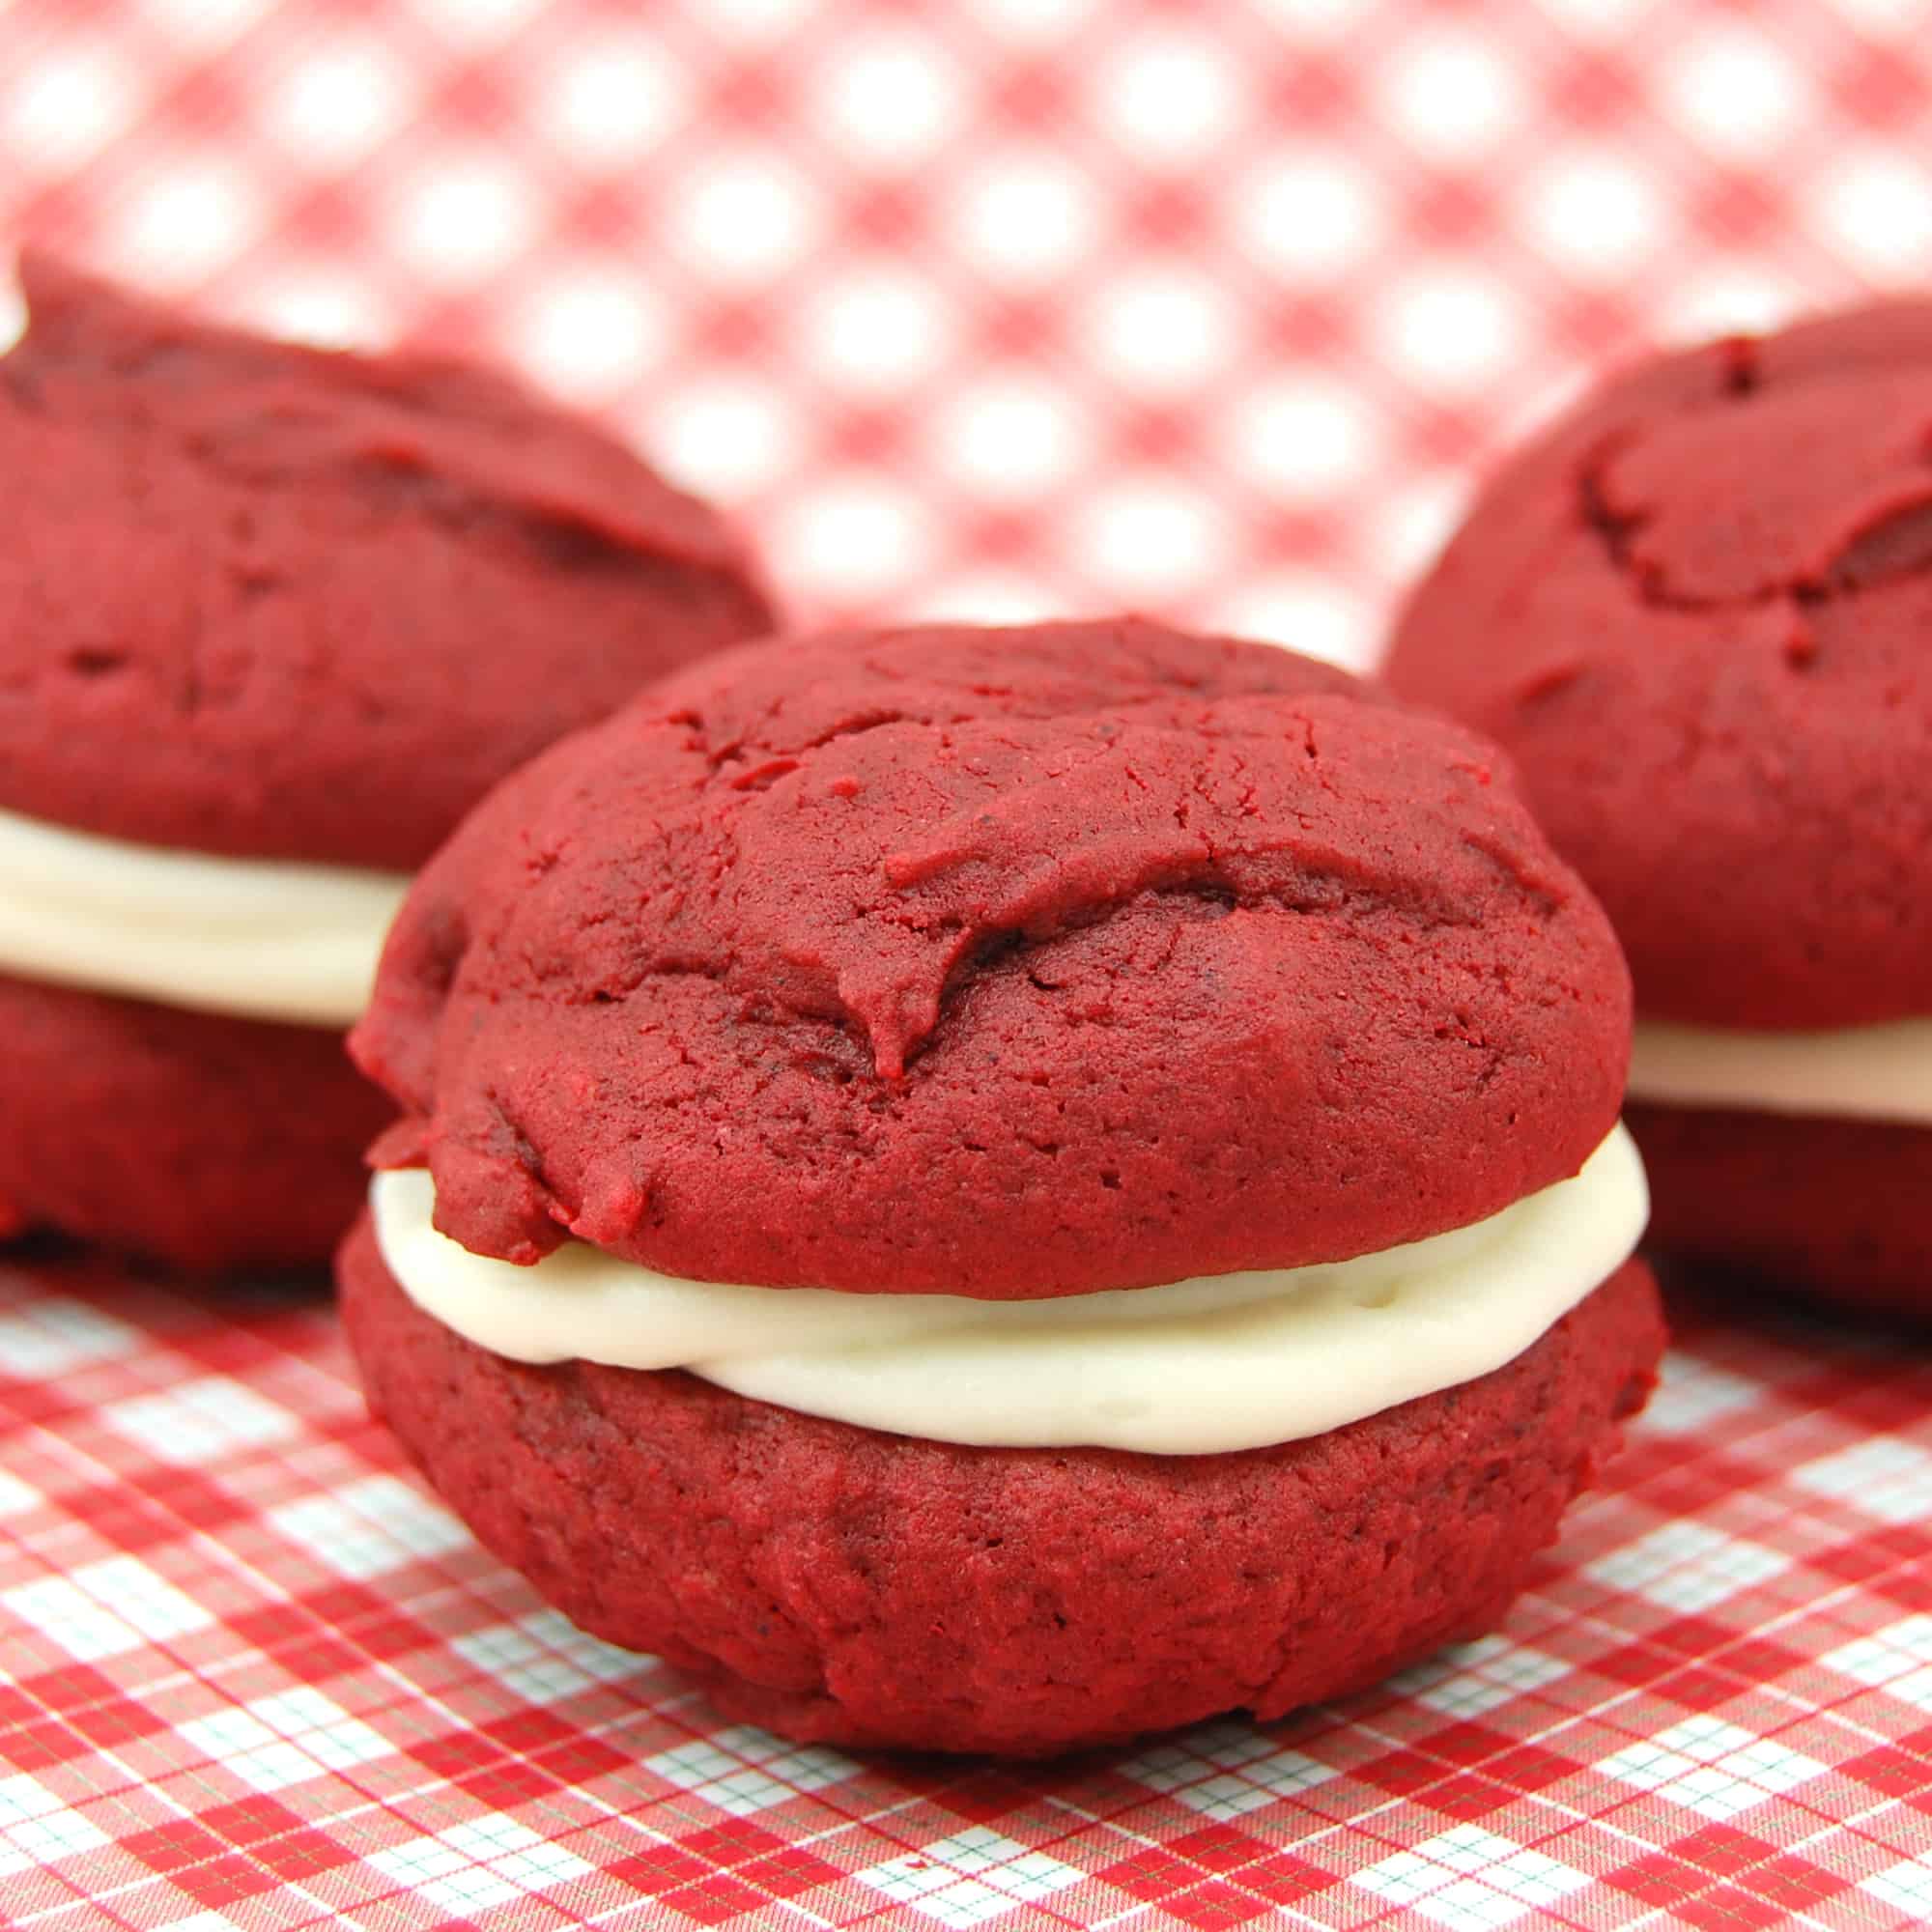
1006 308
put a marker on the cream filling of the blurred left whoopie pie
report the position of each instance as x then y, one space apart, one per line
266 940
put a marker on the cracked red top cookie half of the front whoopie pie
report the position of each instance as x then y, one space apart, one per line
998 963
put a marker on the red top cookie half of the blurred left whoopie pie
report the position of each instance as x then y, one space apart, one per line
275 602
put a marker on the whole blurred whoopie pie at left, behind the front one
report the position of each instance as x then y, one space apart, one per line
271 621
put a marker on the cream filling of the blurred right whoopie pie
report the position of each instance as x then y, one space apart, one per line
1861 1073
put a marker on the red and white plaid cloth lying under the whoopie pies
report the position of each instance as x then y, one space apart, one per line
254 1676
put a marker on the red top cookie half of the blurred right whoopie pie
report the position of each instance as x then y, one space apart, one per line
1699 615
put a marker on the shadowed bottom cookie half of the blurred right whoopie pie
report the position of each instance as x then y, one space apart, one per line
1840 1210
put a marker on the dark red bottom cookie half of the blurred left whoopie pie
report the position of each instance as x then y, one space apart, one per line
186 1137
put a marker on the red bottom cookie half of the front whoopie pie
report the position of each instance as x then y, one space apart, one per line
849 1587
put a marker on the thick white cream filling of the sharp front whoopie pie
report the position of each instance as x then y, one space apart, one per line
1191 1369
